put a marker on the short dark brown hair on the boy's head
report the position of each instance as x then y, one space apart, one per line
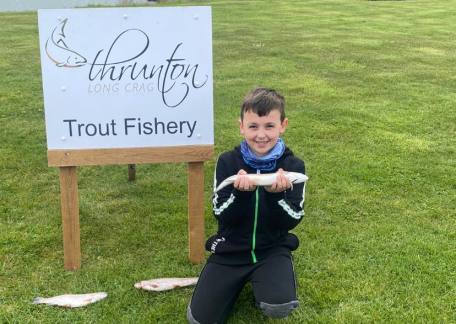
262 101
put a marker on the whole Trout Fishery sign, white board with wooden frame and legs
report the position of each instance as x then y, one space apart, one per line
127 86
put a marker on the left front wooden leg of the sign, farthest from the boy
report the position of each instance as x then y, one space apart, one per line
70 217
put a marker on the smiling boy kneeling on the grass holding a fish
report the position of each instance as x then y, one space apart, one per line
252 242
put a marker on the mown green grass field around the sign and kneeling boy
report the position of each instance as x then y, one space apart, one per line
370 88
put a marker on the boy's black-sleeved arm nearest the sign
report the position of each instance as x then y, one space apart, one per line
228 204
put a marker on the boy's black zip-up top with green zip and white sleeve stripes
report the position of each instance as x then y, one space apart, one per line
254 224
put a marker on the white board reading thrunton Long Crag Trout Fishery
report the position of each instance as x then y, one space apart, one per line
127 77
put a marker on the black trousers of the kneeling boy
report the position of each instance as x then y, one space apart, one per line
273 282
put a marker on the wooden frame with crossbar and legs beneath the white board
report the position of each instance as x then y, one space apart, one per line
68 160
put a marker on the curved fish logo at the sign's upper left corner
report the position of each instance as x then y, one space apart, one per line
58 51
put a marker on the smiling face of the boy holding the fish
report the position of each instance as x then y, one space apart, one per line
262 133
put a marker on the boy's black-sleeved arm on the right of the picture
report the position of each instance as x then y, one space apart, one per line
287 207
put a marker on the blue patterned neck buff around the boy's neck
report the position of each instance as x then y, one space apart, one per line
263 163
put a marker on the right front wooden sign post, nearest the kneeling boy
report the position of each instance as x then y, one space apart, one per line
196 211
